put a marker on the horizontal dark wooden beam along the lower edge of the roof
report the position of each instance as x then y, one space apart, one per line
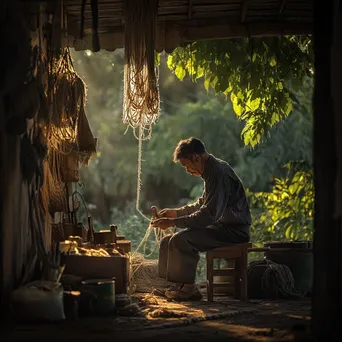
170 35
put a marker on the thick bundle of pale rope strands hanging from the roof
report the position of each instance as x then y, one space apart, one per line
141 103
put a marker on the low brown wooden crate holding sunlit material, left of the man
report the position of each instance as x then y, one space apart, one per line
91 267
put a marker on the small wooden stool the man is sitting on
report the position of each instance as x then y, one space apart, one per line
237 252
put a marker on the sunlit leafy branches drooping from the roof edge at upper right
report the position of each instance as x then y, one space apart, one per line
259 75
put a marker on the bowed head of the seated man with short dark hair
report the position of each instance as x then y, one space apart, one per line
192 155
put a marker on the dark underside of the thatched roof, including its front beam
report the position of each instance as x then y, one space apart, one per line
183 21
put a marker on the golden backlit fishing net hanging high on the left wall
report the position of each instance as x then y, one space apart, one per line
68 128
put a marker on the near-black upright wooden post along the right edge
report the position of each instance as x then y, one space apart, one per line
326 303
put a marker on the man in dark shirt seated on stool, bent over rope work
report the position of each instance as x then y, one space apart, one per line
220 217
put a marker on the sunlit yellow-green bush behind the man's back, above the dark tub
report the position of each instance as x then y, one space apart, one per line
287 212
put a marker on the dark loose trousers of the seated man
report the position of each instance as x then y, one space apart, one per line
179 253
